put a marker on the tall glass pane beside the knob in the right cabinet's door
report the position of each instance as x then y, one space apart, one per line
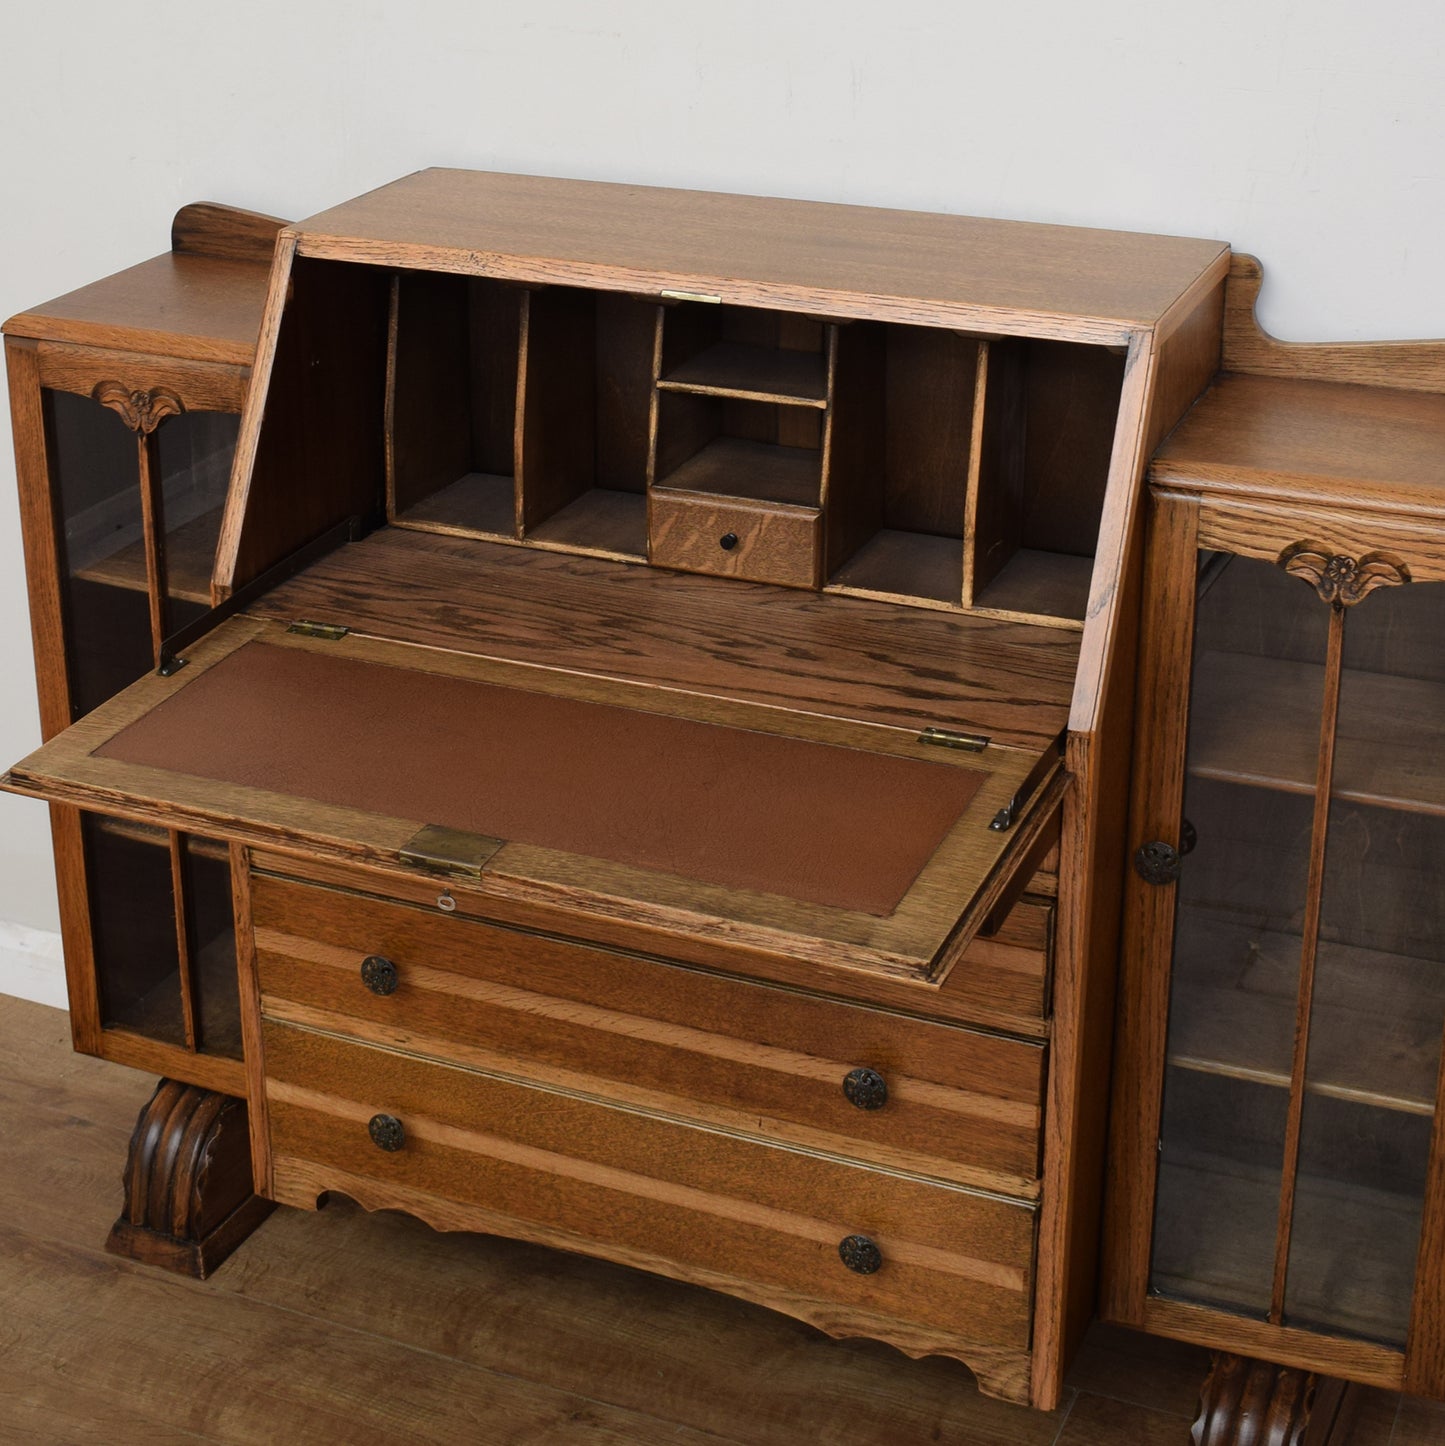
1256 706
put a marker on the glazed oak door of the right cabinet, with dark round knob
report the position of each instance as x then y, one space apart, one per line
1285 964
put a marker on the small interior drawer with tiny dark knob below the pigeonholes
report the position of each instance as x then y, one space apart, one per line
760 542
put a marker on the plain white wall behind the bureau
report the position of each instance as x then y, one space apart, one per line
1310 132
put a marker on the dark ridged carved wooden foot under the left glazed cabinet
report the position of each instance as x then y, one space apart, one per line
189 1182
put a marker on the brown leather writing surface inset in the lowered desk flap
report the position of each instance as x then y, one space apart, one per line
747 810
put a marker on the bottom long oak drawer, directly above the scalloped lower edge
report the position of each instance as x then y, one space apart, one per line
475 1152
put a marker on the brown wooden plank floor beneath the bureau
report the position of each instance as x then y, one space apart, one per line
357 1330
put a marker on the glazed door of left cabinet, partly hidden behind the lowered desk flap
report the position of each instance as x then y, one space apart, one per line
125 463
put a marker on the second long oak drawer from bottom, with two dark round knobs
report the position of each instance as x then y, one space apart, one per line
941 1100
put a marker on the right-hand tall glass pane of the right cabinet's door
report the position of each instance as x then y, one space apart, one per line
1379 1011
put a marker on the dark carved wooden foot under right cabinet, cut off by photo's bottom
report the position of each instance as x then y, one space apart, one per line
1255 1403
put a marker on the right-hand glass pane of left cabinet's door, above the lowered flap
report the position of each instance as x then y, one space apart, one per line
195 452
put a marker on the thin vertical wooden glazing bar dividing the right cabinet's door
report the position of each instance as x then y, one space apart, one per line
1310 949
